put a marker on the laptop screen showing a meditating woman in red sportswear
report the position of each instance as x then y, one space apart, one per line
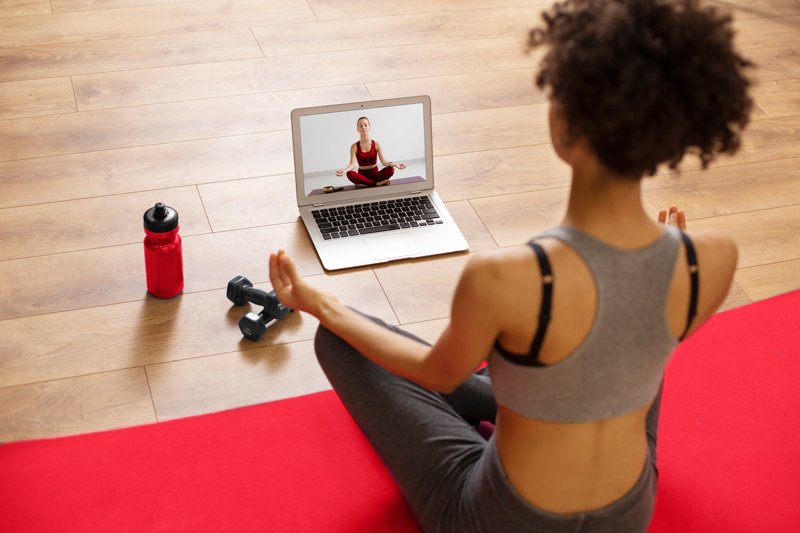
345 151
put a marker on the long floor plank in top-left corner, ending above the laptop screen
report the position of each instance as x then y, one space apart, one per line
127 20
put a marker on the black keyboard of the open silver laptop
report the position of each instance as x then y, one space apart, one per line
375 217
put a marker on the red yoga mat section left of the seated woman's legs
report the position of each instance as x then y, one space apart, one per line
297 465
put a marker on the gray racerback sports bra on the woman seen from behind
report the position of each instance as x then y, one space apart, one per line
619 367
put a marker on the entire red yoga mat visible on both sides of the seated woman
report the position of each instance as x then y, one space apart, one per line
728 455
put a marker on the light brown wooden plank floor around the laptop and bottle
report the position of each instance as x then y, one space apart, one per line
107 106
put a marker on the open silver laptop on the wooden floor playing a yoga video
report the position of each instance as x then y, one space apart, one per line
384 207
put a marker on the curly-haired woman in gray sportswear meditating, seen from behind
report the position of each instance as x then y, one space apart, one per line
576 325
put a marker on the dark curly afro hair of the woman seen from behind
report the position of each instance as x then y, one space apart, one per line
645 81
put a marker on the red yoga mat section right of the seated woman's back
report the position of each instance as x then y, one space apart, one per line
729 431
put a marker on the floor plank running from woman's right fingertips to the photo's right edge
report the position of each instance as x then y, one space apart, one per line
763 237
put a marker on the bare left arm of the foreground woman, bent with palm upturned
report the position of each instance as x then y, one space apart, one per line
465 342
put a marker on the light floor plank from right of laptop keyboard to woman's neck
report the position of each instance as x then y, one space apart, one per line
514 218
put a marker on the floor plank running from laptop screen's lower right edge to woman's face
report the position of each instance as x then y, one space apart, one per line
499 172
